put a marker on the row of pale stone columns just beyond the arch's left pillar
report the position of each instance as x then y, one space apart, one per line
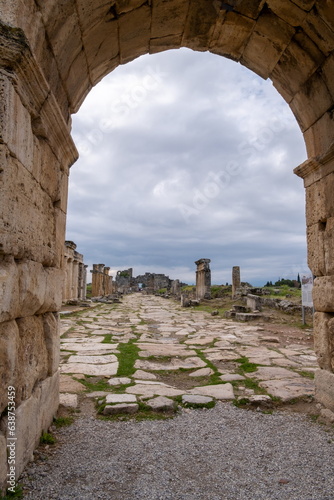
75 280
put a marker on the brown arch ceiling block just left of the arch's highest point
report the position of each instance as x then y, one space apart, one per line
168 18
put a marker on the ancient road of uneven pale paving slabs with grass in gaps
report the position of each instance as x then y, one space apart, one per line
175 352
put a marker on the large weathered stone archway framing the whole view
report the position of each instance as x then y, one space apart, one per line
51 54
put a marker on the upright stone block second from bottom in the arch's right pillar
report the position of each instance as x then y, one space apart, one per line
321 339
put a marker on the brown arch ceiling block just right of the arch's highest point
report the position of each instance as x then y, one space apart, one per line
200 25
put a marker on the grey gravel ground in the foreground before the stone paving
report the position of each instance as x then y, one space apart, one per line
223 453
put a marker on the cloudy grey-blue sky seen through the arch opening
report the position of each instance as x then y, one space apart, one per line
187 155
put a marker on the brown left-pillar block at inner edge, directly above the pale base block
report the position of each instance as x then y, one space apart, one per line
32 356
